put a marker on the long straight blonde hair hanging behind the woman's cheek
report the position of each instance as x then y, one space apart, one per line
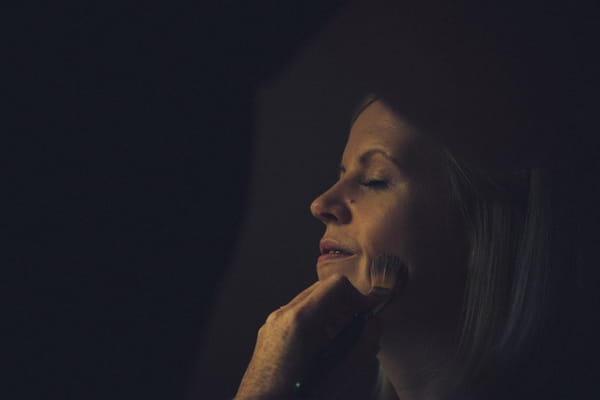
511 278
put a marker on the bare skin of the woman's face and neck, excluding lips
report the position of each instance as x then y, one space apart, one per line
400 203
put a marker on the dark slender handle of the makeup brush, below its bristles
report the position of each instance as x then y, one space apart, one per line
331 356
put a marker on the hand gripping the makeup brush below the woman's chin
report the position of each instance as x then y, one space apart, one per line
293 335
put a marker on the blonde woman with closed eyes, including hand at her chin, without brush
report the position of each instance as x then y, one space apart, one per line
485 275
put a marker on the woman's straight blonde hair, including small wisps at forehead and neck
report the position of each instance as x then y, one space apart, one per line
520 265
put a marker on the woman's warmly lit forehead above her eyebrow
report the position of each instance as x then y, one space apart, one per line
378 127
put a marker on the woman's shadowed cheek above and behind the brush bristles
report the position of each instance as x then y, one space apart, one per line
433 251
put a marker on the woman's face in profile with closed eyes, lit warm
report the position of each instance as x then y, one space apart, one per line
393 197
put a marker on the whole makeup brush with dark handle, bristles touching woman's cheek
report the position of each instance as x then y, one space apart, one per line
388 276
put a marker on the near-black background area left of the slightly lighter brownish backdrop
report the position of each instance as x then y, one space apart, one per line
129 130
